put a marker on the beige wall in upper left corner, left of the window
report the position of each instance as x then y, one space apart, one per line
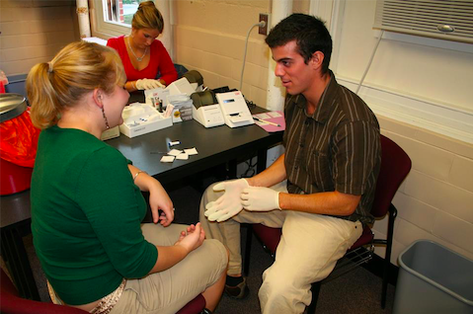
34 31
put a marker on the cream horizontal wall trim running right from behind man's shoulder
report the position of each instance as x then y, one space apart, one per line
439 118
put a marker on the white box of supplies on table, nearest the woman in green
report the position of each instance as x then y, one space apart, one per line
140 119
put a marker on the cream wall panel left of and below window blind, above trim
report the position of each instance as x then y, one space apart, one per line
442 75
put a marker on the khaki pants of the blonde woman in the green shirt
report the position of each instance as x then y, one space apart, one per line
168 291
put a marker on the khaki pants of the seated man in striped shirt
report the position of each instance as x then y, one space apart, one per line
309 248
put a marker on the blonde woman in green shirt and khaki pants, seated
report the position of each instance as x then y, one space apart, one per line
87 204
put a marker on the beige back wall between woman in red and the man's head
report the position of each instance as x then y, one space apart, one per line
210 37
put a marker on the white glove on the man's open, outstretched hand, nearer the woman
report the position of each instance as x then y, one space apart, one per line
229 204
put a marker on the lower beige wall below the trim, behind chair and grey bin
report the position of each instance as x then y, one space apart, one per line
435 201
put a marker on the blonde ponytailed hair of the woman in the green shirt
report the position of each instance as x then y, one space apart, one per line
77 69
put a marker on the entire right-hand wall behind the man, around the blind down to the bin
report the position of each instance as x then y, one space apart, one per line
436 200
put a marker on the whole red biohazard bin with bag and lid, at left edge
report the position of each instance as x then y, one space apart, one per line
18 144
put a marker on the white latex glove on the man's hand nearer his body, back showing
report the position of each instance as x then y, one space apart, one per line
260 199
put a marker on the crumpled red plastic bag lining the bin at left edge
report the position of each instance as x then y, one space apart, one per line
19 140
